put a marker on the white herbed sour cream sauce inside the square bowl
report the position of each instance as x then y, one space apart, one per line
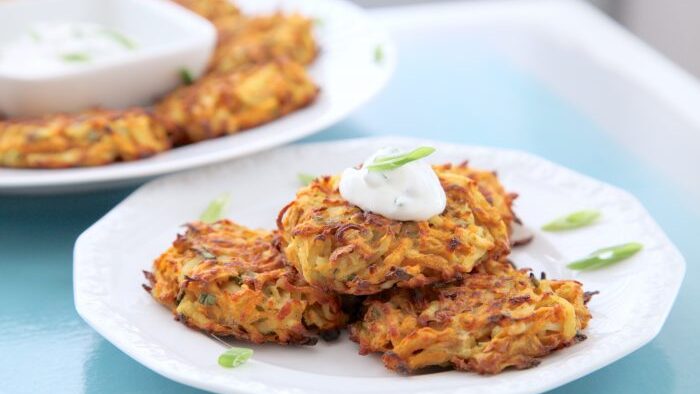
48 48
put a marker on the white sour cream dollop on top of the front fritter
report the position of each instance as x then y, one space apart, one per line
409 192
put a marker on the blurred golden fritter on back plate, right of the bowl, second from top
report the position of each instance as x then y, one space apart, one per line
245 42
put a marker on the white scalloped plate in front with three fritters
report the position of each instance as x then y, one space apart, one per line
636 295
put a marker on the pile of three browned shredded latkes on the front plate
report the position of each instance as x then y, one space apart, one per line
434 293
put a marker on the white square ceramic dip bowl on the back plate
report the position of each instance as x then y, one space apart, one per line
170 38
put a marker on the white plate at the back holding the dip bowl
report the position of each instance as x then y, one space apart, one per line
346 71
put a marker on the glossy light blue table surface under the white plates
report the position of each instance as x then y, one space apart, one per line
471 96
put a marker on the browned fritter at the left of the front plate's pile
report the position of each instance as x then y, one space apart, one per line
229 280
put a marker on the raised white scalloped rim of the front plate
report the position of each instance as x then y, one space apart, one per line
93 308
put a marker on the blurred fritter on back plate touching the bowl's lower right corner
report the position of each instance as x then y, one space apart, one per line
226 104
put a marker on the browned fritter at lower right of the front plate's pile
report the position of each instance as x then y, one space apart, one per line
489 322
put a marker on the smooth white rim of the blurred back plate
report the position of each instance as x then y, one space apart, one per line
28 180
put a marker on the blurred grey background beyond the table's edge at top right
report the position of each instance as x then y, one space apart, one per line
672 27
